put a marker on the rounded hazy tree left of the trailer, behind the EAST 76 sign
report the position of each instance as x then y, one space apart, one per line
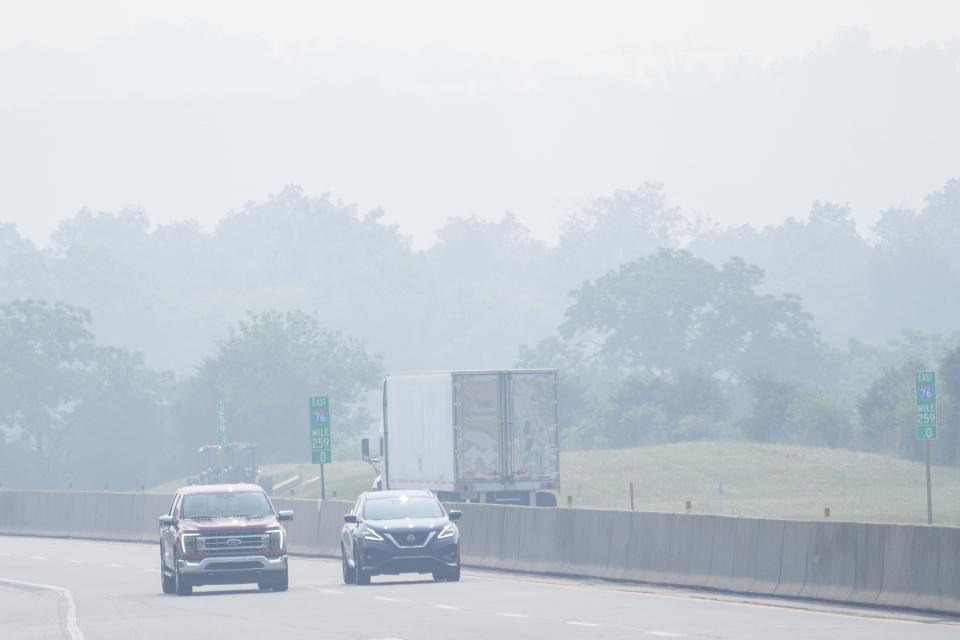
265 371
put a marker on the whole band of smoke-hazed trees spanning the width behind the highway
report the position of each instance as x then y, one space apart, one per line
119 337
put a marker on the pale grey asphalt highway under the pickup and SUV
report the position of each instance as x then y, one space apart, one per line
77 589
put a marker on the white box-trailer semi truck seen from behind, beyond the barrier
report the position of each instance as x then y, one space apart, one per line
474 436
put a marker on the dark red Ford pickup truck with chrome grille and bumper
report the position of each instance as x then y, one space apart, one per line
223 534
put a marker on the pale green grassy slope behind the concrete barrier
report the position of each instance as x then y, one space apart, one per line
759 480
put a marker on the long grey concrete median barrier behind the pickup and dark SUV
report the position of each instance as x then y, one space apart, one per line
879 564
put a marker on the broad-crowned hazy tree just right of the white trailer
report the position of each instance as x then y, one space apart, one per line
672 311
